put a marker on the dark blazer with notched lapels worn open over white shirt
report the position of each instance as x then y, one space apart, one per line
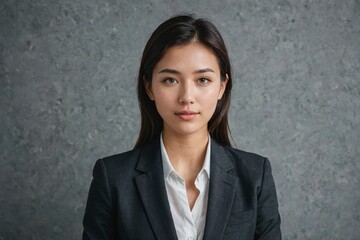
127 197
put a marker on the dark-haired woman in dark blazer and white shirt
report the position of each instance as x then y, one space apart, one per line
183 180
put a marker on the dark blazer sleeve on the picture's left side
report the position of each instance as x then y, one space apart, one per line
99 221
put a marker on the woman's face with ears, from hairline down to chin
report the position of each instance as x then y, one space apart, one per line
186 86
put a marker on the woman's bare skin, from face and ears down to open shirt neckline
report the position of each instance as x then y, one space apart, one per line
186 86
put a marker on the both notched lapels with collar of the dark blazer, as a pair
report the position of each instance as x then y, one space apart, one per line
152 191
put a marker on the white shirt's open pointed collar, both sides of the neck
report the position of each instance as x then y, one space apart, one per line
168 168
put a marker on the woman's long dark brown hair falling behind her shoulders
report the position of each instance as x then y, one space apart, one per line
180 30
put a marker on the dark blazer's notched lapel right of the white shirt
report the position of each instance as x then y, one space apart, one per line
221 192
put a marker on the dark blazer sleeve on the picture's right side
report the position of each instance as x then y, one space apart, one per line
268 217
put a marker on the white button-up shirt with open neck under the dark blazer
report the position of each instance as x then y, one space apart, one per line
189 224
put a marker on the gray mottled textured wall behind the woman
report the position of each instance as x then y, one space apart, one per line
67 85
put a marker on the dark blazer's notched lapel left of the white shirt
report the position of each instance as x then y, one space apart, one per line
152 191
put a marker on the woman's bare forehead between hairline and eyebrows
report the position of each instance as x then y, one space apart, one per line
189 57
